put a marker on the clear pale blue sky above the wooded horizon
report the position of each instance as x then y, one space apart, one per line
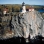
30 2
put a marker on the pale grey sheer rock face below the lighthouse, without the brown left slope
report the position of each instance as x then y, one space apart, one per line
28 23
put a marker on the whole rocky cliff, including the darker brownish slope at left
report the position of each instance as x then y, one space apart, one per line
23 25
